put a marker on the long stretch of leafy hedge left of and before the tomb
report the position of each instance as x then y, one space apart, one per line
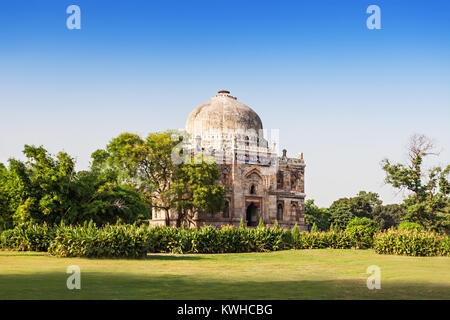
132 241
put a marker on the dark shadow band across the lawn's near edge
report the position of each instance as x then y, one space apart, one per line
122 285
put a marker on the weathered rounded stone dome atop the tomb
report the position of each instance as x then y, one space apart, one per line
223 114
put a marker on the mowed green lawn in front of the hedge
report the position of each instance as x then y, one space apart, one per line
294 274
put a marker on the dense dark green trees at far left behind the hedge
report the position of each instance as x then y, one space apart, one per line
48 189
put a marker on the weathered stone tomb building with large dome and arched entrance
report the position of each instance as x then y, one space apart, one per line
259 183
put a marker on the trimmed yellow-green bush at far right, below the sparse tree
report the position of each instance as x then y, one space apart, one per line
411 243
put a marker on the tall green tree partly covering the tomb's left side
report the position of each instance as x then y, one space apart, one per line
149 167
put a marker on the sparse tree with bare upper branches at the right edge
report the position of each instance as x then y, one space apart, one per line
428 191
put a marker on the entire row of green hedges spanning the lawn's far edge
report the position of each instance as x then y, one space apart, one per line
136 241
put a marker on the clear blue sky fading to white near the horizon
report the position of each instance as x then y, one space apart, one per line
342 94
